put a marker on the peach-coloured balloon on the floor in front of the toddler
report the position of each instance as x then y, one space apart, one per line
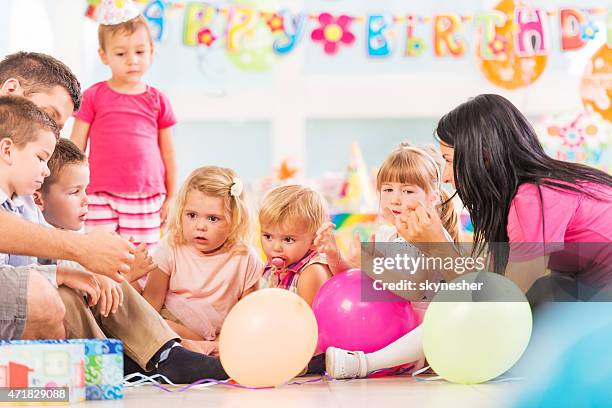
267 338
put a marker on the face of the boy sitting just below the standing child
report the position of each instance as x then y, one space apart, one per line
64 204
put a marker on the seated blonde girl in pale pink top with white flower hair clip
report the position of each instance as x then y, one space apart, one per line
206 263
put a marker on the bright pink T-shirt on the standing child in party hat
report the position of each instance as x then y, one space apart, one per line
124 154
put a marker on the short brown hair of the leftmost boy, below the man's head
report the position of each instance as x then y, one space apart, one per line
21 118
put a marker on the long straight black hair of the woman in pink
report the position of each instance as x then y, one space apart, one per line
495 151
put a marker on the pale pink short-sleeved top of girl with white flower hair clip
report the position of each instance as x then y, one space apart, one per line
203 289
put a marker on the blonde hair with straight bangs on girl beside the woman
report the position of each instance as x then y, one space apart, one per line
420 166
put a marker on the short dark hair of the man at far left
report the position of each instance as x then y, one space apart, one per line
38 72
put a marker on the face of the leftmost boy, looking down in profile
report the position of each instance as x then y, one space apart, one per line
27 166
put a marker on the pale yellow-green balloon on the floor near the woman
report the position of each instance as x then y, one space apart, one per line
470 341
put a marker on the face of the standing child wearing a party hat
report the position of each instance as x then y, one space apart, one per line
128 56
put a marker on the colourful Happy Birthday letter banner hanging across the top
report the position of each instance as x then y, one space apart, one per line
512 41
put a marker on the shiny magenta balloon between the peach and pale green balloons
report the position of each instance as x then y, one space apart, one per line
348 322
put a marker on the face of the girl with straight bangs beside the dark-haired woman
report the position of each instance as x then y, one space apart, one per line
397 197
